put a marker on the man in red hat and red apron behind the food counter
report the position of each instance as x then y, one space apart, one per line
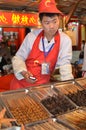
42 51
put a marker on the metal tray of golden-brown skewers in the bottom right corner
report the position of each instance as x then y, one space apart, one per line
75 119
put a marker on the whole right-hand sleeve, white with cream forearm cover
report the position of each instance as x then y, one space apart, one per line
65 57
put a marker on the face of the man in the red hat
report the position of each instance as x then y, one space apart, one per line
50 24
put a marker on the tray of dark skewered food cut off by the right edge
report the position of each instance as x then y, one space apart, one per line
74 92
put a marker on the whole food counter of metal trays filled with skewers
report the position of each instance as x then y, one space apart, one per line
56 106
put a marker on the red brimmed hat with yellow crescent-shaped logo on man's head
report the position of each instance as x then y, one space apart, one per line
48 6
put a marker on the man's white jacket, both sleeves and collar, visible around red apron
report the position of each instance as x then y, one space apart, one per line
63 60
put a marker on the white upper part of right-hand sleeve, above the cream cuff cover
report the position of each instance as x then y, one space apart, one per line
65 53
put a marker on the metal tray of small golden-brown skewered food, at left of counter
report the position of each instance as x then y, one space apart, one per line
22 106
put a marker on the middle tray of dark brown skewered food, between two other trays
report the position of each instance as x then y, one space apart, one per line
54 101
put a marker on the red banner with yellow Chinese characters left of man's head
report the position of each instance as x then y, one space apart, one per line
18 19
